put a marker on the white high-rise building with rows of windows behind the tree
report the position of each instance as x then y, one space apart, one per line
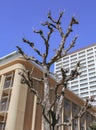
85 84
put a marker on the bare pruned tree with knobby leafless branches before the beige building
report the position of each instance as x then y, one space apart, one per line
51 110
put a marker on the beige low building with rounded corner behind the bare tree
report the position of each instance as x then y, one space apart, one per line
18 108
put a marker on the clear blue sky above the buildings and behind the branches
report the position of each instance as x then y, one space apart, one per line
19 17
